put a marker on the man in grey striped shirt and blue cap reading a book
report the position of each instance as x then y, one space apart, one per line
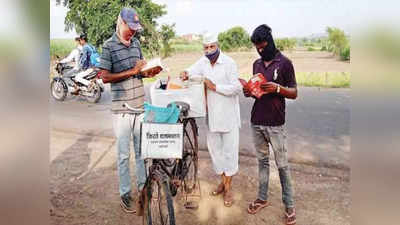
121 62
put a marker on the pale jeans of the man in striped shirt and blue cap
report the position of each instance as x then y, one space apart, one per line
123 129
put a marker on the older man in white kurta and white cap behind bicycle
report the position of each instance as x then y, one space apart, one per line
220 75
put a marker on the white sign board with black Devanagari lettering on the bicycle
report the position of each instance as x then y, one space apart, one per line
161 140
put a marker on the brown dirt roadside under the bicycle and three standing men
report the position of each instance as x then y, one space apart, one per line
84 189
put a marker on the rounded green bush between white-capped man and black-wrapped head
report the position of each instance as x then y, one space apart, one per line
233 39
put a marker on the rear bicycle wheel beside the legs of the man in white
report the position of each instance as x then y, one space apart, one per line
190 157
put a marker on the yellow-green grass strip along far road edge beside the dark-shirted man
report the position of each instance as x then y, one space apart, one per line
319 79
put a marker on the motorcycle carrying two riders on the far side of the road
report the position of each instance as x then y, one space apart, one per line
60 86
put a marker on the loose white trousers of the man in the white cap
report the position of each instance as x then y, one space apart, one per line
224 151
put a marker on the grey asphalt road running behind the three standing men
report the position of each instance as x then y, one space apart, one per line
318 124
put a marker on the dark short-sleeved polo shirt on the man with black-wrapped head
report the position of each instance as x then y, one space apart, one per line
269 110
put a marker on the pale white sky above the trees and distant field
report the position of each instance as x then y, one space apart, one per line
287 18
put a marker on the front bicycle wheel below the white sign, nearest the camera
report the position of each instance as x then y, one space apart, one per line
160 208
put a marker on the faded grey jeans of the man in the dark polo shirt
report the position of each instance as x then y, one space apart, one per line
262 137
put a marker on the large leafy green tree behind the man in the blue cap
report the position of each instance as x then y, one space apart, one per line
97 19
